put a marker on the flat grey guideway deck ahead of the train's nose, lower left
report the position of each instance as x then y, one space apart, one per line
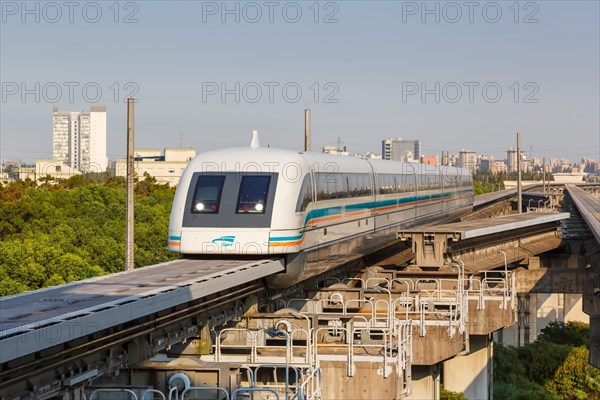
33 321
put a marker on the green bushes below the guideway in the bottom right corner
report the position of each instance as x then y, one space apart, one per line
553 367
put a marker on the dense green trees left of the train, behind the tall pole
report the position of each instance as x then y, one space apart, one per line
53 233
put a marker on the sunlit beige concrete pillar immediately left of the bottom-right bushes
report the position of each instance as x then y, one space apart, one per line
471 373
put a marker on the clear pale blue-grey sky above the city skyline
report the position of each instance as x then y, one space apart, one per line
369 70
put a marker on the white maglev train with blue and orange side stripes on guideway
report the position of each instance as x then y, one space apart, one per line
317 211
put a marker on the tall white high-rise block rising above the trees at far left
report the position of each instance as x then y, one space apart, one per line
79 139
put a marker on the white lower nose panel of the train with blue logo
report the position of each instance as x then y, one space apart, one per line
218 241
